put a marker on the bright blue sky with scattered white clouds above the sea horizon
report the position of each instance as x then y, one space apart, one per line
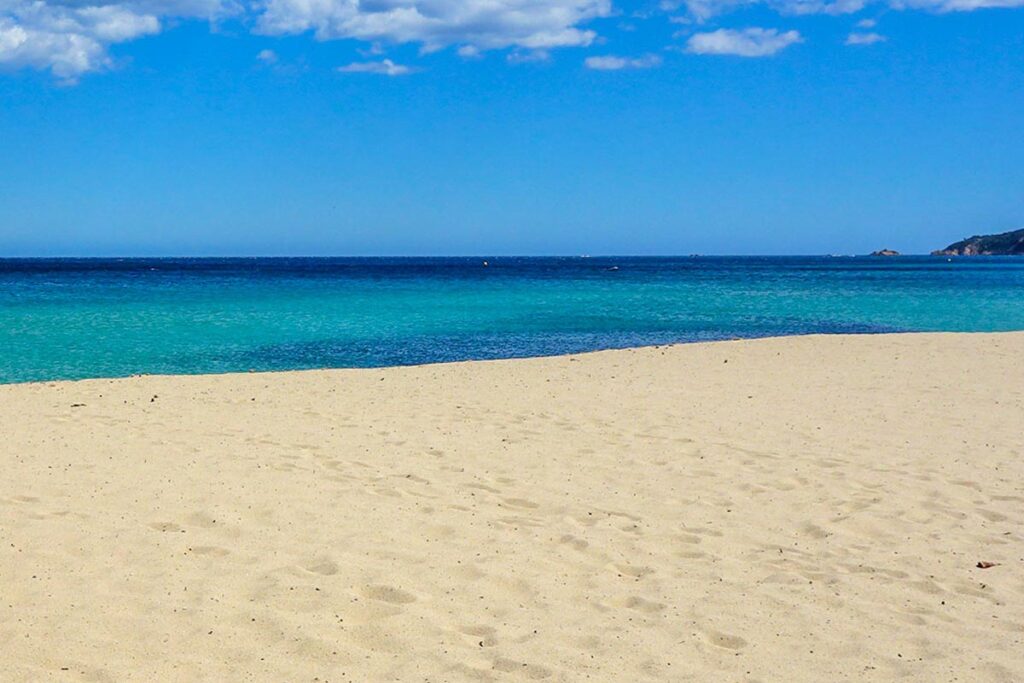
444 127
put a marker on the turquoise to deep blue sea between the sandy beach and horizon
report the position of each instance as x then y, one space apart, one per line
71 319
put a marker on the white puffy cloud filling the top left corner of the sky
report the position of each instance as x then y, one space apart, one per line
71 37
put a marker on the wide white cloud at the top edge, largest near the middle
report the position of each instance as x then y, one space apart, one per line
436 24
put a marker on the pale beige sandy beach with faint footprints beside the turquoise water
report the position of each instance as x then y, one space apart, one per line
803 509
